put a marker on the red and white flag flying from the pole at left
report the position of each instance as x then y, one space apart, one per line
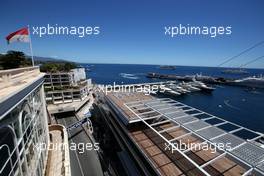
22 35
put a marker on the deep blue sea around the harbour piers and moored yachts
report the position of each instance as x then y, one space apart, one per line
240 105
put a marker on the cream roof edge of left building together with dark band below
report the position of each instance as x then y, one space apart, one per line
16 85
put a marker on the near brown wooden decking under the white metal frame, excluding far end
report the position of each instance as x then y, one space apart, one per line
170 163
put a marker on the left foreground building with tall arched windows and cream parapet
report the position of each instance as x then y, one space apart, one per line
23 122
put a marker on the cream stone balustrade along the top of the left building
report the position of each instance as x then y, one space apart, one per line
14 76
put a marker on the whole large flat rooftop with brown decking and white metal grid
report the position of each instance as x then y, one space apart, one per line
171 136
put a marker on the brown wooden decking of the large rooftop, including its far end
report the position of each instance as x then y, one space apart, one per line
154 147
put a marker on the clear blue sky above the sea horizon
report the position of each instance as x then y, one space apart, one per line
133 31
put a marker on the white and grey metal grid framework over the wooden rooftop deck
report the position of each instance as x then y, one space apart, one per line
243 151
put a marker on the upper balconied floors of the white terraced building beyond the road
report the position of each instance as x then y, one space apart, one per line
66 87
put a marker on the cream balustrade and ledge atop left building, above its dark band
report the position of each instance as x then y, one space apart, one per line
13 81
